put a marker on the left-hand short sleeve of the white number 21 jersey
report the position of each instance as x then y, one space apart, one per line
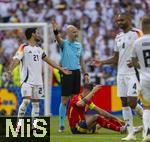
20 52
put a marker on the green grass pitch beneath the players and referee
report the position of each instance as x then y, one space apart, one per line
103 135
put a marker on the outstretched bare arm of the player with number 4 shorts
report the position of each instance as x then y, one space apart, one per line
112 60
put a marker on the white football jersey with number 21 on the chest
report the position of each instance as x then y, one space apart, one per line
30 64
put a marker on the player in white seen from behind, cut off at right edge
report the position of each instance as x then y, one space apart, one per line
141 55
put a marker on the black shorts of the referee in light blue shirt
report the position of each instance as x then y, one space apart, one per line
70 84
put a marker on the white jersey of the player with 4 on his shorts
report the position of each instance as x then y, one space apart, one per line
124 45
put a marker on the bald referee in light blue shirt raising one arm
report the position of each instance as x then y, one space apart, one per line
71 58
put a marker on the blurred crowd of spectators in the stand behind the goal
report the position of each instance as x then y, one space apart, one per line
94 18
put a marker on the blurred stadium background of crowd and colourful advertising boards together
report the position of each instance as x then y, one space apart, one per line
94 18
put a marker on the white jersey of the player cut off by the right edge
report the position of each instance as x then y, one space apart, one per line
142 52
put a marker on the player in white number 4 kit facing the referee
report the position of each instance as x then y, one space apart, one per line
126 77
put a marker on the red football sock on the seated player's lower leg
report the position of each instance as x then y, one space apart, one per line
105 123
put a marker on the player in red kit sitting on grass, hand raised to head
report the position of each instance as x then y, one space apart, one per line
77 109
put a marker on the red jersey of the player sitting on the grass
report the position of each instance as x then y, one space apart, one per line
75 113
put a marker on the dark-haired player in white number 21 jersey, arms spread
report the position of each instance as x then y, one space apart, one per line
30 57
